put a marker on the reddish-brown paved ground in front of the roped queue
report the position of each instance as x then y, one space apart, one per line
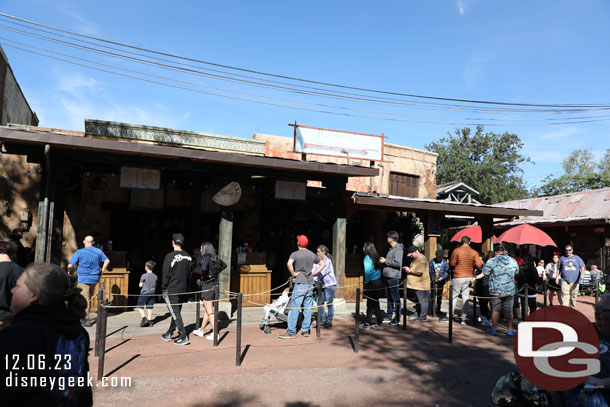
416 367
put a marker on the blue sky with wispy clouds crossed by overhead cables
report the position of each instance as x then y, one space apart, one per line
551 52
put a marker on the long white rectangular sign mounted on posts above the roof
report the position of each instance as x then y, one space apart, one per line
337 143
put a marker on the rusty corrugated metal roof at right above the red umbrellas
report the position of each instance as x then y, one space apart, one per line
584 206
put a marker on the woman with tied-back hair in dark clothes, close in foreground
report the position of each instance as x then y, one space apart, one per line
48 308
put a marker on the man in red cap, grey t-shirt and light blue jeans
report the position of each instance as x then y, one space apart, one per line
300 266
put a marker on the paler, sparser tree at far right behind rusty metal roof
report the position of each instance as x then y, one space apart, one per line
581 172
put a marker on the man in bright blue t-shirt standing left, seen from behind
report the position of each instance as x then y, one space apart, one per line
88 260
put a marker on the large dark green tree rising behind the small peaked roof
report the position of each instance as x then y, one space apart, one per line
488 162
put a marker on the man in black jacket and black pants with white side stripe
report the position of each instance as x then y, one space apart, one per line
177 268
